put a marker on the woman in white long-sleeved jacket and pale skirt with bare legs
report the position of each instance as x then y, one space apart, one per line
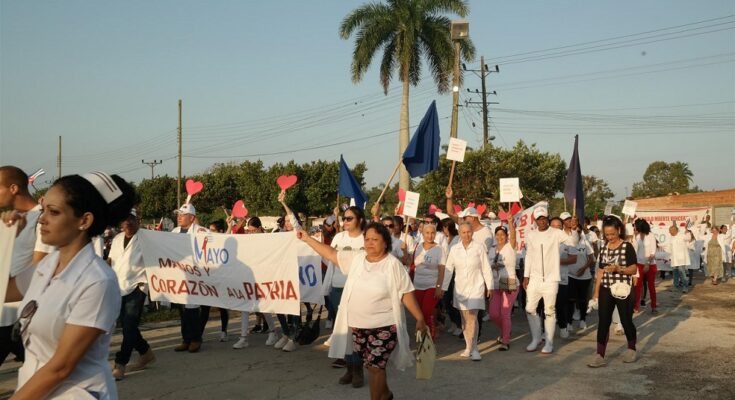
473 282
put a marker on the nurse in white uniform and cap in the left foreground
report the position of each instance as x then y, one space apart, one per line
71 300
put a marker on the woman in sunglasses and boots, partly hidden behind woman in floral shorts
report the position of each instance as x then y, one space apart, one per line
350 238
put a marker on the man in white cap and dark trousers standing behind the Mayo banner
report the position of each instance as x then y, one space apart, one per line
191 320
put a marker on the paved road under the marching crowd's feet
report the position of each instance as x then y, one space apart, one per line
687 351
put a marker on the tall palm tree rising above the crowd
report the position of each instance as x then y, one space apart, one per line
405 30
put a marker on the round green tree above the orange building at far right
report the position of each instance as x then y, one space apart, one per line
662 178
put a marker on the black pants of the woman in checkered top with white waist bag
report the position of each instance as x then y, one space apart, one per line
607 304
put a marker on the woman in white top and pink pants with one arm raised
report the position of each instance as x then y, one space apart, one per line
505 282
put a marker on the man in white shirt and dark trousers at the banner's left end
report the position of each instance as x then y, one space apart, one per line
126 259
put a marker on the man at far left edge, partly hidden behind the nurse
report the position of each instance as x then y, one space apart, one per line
28 249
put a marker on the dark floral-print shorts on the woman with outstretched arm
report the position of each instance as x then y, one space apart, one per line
375 344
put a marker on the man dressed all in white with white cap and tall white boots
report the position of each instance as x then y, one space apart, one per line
541 277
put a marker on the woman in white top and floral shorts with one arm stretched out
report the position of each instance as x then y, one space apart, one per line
371 320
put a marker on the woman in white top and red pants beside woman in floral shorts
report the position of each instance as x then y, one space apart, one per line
428 280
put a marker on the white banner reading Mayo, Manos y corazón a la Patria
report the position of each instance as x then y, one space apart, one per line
235 272
